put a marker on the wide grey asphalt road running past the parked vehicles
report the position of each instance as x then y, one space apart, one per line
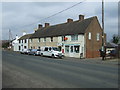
42 72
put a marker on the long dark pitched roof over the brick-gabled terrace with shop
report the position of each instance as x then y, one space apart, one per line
75 27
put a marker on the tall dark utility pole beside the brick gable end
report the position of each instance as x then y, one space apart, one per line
103 48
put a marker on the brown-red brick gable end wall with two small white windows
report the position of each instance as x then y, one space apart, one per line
93 46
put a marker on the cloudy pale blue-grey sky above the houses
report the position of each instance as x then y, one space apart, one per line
25 16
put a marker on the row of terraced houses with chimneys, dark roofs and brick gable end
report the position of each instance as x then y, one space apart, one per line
72 37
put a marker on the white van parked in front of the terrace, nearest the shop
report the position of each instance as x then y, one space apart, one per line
51 51
